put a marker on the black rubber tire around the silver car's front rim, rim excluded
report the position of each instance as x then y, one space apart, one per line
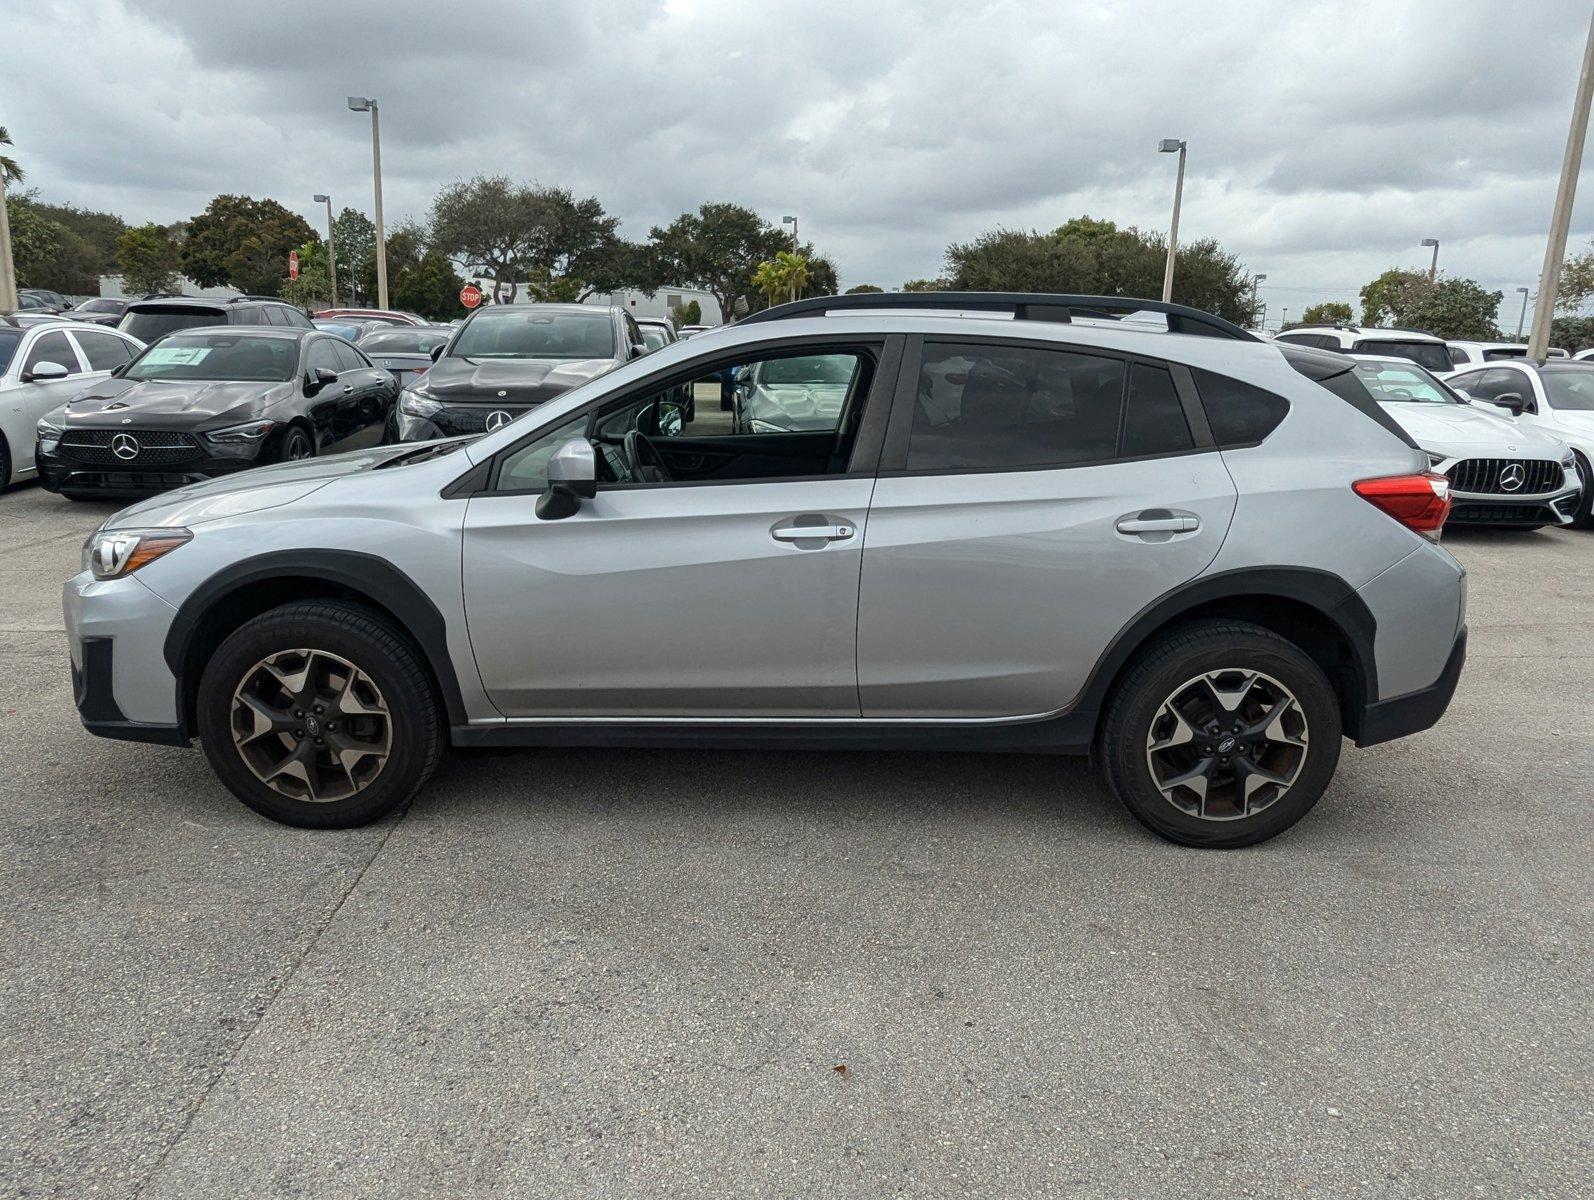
372 645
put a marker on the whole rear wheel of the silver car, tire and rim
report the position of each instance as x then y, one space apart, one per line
1222 735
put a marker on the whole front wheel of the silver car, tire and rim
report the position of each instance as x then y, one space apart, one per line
320 715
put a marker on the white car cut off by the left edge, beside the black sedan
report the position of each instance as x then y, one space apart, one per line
44 366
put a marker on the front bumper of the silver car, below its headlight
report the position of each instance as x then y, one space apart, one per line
120 681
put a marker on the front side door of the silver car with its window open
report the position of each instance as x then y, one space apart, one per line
717 582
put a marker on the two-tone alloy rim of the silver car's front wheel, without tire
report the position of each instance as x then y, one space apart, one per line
312 726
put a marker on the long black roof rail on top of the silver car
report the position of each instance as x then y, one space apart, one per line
1023 307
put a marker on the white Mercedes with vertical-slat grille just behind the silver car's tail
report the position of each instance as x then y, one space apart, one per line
1502 473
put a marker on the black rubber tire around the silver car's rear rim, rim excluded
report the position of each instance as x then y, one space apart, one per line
1160 673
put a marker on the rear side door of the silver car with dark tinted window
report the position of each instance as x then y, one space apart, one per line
1032 500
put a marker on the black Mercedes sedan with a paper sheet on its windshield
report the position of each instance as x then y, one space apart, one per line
210 402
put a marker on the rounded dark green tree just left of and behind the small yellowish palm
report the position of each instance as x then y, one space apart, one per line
718 249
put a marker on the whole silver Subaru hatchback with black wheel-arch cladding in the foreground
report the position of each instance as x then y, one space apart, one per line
1032 524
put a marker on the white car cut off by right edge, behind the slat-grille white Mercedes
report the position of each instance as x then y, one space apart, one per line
1557 399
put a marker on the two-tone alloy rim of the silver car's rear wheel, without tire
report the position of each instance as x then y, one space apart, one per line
1227 745
